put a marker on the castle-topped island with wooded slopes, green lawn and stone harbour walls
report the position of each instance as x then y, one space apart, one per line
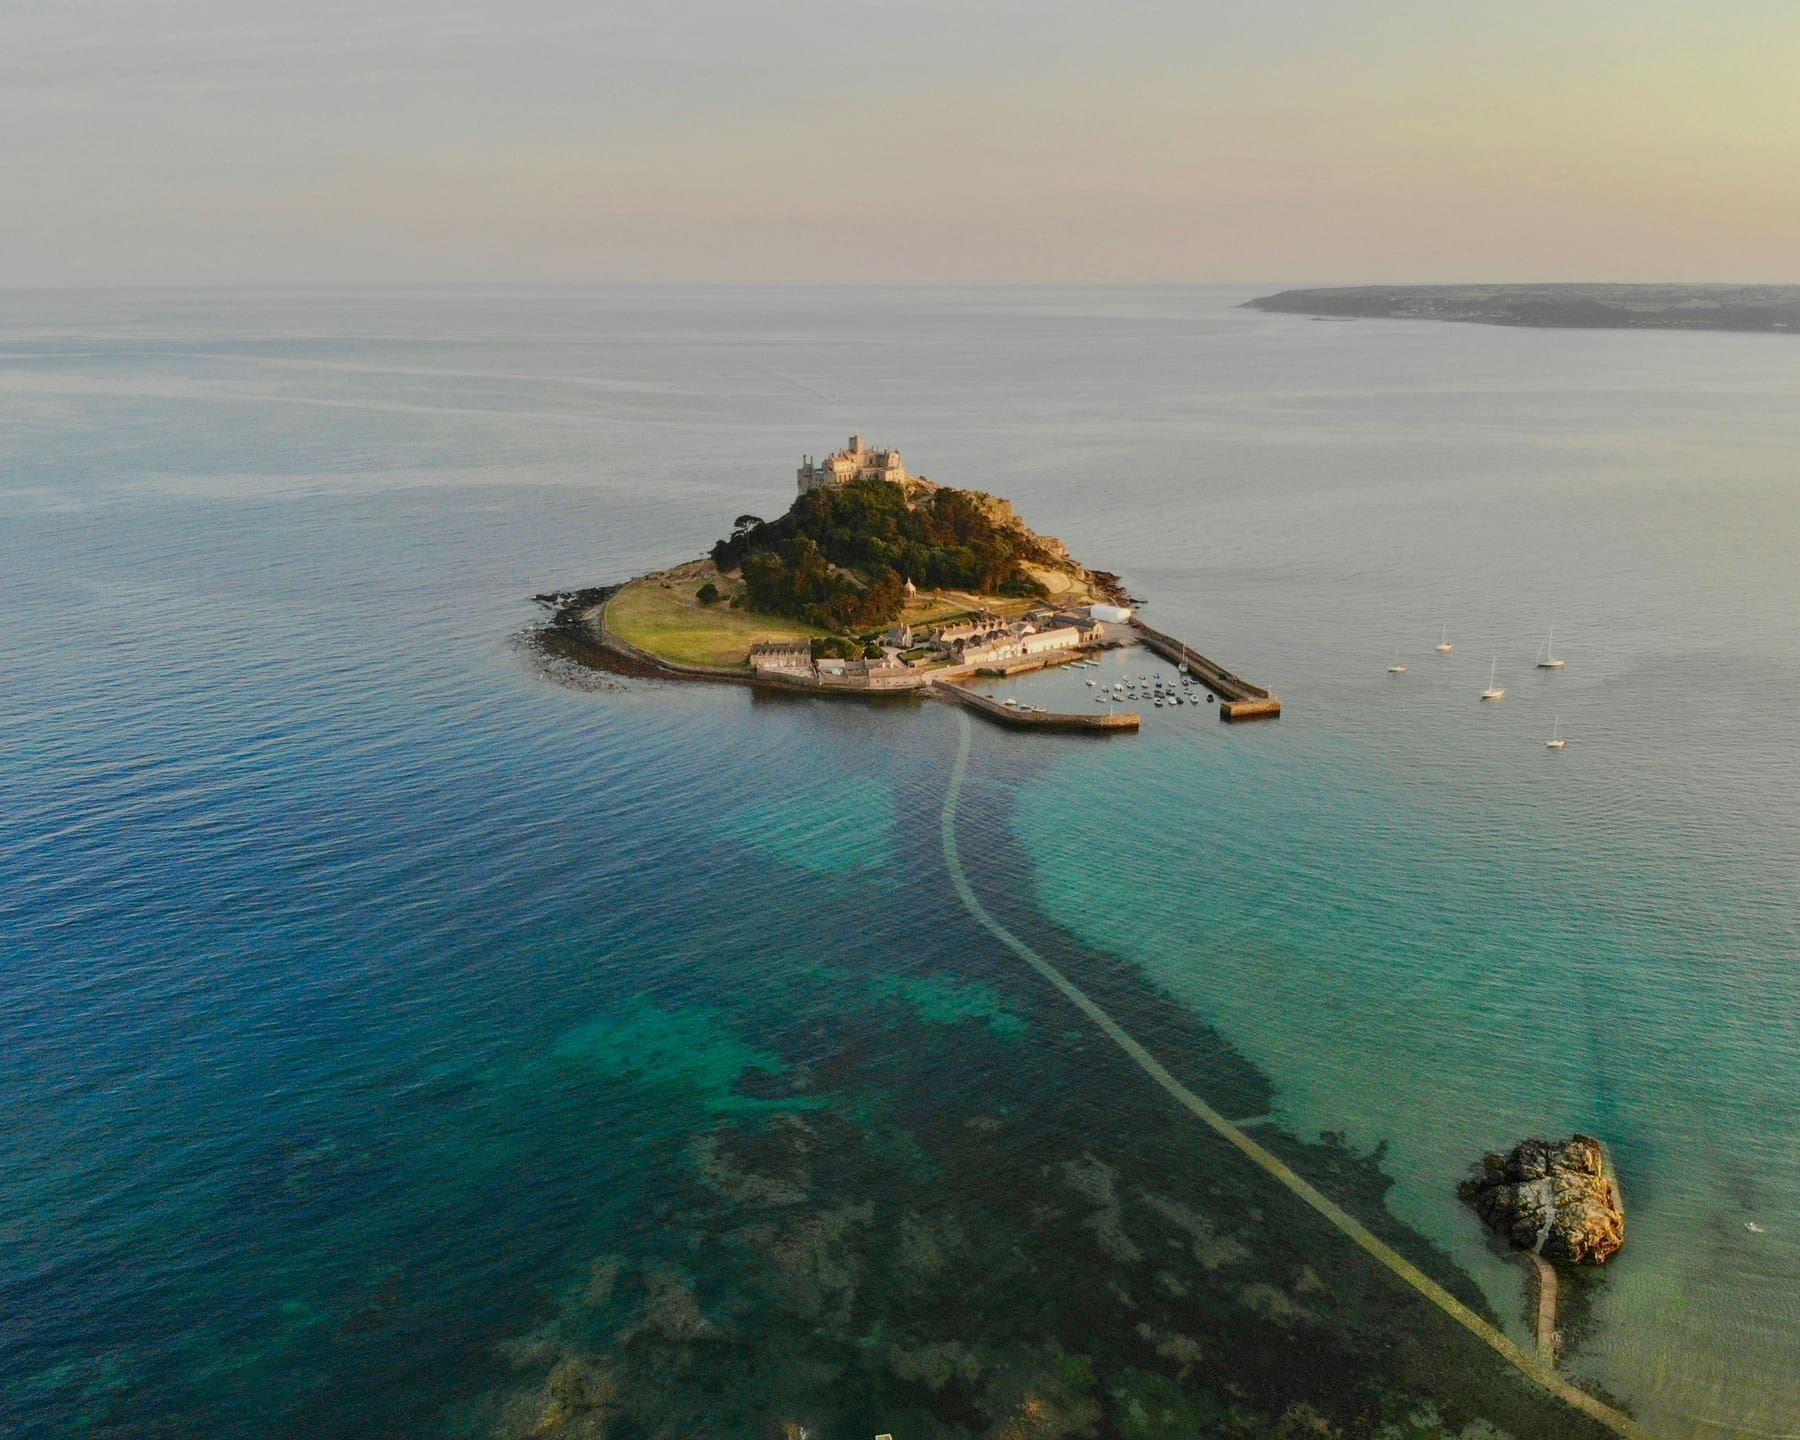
877 584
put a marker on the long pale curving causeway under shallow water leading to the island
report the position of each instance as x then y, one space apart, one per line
1354 1230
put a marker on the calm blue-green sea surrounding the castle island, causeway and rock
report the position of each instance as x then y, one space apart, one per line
408 1038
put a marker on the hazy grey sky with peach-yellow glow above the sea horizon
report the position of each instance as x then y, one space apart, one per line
190 141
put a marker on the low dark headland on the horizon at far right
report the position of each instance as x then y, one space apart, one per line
1579 307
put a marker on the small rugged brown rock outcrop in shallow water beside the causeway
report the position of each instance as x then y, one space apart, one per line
1552 1198
